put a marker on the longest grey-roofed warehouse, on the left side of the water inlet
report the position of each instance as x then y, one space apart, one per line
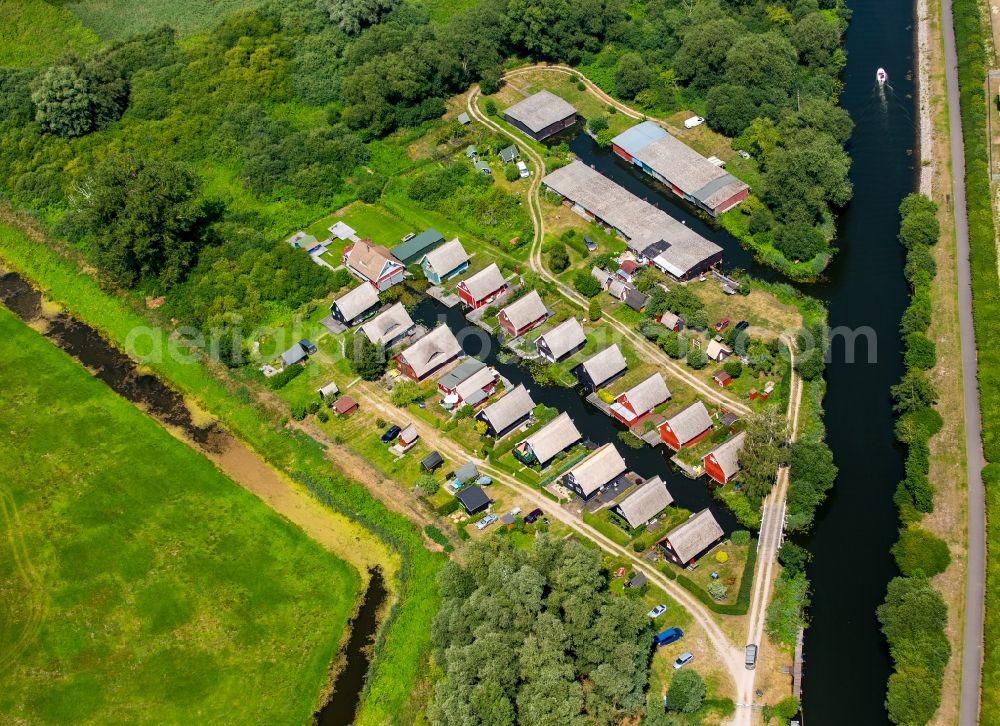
652 233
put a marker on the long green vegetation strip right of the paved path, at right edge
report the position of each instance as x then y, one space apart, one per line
970 36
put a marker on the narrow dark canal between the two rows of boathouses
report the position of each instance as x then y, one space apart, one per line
592 423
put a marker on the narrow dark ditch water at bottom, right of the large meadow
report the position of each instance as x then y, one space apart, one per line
342 705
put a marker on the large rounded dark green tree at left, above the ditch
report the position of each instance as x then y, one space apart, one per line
144 218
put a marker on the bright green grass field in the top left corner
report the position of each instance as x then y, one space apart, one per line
35 33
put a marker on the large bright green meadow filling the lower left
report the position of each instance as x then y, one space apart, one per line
140 585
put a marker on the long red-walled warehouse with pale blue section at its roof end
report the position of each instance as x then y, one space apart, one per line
687 173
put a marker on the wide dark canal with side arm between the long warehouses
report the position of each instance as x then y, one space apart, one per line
846 660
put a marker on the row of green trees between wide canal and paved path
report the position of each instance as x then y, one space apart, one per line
914 615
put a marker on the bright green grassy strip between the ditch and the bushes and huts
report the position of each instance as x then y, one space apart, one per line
392 691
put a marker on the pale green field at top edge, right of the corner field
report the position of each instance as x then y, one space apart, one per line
121 18
